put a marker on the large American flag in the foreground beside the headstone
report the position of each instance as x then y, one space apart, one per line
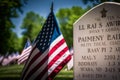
49 54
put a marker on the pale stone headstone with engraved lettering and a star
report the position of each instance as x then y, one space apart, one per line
97 43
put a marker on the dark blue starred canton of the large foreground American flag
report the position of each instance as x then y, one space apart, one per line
50 32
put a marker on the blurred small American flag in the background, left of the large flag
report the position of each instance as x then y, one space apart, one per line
25 53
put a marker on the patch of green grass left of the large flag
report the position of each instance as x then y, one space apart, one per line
11 72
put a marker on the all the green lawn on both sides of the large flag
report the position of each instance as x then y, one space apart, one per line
13 72
